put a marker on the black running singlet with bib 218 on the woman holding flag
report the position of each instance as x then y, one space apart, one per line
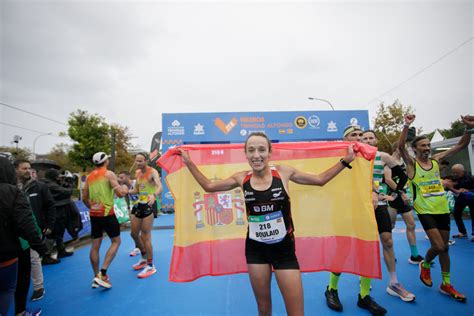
268 211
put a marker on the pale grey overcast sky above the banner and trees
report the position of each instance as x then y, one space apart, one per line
132 62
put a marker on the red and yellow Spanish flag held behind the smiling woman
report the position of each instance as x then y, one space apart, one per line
335 225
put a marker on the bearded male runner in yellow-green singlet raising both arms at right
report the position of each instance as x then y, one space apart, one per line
429 199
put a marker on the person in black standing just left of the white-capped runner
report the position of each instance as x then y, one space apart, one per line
62 199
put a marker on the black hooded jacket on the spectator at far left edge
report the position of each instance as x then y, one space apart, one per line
16 217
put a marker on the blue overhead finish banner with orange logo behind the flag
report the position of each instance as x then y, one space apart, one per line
234 127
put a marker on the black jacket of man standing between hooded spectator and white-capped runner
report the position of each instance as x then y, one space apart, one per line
42 203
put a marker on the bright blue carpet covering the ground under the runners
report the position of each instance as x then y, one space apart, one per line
68 290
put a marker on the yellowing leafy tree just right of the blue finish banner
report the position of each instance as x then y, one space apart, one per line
388 123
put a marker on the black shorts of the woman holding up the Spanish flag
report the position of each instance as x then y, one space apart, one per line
280 255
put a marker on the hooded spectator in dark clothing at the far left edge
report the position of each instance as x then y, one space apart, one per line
16 220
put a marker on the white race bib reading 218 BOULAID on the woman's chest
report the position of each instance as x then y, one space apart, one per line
269 228
